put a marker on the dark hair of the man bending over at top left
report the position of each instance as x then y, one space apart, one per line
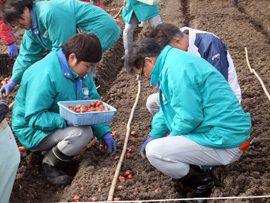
12 10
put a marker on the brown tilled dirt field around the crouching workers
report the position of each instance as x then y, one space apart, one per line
247 25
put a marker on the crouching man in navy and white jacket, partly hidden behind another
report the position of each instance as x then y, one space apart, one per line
200 43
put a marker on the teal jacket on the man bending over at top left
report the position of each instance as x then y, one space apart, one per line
56 21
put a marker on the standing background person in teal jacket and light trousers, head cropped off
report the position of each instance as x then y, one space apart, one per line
134 12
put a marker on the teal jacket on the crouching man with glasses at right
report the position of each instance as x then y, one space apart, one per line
197 102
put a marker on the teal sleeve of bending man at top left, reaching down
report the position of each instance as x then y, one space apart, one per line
30 52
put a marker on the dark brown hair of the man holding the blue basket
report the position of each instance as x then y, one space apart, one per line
86 47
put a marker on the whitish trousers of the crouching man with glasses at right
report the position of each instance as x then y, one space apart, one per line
173 155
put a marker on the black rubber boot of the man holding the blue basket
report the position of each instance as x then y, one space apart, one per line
50 165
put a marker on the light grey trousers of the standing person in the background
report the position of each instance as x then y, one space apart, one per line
130 27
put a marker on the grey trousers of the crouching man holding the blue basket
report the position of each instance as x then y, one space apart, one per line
69 141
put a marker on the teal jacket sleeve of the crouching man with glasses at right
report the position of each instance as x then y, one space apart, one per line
185 102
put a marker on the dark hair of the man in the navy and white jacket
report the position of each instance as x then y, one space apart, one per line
164 33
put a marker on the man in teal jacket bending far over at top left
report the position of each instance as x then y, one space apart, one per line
49 24
